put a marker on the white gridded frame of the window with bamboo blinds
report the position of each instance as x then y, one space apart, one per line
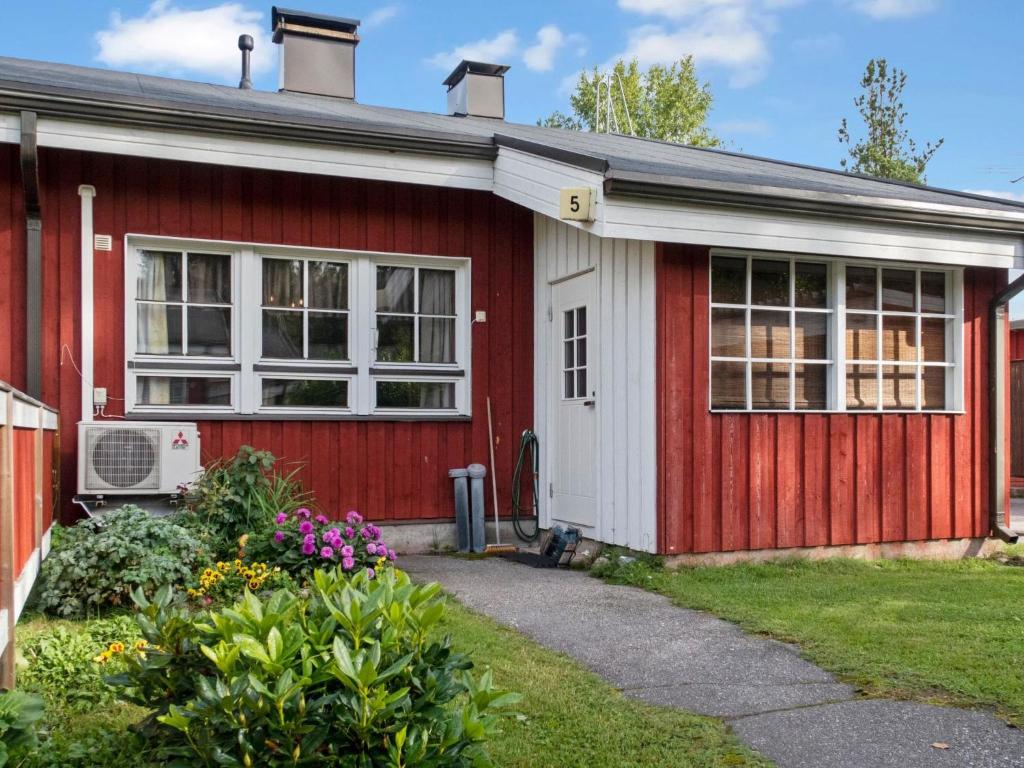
836 332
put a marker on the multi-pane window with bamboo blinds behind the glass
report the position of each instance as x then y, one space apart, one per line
775 322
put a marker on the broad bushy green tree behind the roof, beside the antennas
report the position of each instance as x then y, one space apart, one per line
663 103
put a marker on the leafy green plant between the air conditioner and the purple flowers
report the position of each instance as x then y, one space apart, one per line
240 496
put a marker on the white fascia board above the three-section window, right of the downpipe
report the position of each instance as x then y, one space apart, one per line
468 174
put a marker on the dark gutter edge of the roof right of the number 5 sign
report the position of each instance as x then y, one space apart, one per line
812 203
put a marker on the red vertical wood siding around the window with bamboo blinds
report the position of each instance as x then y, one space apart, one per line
782 481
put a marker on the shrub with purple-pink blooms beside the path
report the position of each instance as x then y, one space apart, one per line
303 543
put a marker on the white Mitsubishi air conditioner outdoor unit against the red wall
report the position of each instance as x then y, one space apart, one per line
136 458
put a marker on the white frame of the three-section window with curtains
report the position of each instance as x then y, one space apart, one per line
247 368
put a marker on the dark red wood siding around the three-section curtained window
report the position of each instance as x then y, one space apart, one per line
390 471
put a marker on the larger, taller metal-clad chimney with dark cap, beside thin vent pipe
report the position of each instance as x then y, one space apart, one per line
319 54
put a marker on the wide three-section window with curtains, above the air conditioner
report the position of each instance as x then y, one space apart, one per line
233 328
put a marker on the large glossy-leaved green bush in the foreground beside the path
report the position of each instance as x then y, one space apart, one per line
349 677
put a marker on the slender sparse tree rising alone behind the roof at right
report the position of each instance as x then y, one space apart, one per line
887 151
